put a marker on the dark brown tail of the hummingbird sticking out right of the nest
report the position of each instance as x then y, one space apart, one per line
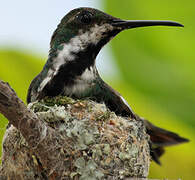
160 138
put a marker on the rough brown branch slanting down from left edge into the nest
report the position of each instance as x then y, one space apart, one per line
41 138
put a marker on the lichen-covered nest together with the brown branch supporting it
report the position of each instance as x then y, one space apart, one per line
62 138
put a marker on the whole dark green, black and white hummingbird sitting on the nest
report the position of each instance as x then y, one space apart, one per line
71 70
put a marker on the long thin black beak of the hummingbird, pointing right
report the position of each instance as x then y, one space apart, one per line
142 23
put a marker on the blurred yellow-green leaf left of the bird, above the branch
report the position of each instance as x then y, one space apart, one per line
19 69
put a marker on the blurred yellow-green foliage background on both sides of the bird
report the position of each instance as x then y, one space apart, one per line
155 73
